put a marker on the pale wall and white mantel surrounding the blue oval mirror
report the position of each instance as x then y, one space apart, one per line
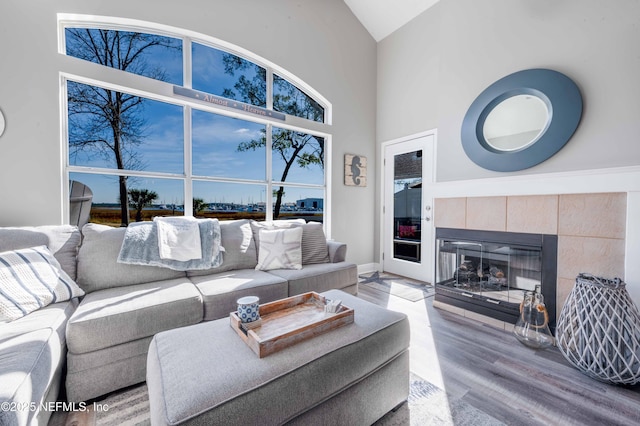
431 70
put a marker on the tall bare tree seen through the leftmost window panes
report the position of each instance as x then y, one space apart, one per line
107 123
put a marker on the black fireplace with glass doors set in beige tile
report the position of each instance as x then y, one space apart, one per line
488 272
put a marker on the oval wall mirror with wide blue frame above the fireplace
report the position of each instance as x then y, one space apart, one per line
521 120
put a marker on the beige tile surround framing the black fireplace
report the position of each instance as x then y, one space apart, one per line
590 229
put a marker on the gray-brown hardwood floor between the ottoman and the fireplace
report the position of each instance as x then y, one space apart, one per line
490 370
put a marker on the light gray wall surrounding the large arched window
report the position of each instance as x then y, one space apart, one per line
321 43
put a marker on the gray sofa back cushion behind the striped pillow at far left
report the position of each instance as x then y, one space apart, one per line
62 240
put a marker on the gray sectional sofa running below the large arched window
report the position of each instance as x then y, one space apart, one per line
104 338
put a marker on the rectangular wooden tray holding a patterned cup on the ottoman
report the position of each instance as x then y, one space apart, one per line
289 321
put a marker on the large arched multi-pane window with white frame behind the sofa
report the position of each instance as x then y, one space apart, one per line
182 123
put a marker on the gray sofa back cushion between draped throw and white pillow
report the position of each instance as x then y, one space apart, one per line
239 248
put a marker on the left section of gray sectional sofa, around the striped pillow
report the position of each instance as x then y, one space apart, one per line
33 348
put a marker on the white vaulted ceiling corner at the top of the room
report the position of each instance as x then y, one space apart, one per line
382 17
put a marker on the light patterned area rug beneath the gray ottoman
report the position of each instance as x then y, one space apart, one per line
427 405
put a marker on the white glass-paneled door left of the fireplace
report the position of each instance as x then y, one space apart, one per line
408 228
